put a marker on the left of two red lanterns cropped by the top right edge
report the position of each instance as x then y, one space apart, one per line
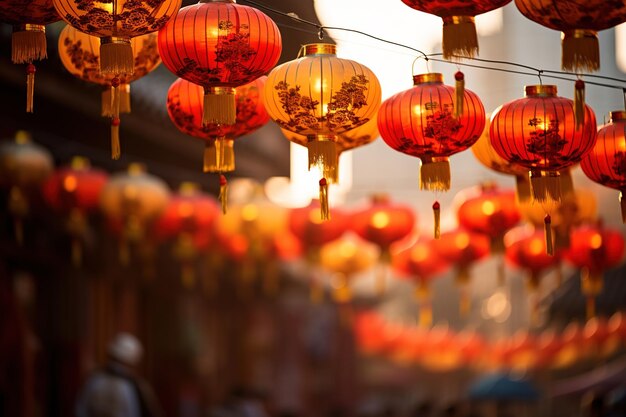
459 32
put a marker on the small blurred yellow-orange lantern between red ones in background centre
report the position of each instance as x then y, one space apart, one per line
345 258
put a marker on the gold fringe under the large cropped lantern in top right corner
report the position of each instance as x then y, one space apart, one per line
580 51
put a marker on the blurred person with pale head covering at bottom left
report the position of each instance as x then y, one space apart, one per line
115 390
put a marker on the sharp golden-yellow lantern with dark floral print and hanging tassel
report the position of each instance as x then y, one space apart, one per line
321 96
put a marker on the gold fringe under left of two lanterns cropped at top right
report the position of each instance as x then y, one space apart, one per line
459 37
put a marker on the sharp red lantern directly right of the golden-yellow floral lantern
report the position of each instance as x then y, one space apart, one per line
430 123
